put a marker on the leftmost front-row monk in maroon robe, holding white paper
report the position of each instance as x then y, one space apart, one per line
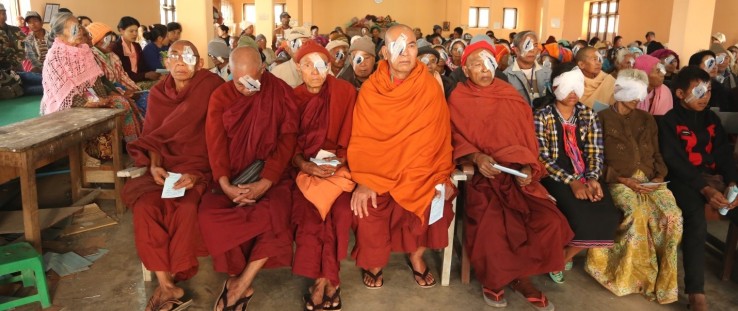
173 140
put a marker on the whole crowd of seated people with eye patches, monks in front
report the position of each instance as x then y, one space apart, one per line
614 150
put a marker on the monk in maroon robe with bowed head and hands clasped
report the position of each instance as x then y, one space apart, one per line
247 227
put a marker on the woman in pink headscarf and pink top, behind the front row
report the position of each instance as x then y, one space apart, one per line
659 100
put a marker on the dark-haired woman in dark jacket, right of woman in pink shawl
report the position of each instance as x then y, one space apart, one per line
131 55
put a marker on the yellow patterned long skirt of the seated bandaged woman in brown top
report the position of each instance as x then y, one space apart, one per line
644 257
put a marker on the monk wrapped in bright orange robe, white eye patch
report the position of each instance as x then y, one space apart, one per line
400 158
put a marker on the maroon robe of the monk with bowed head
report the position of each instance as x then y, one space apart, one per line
240 130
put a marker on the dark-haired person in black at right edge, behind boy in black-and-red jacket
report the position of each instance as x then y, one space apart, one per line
721 96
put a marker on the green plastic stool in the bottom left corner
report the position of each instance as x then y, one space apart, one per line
22 258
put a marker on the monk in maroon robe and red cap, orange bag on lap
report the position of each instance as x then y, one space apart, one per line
326 106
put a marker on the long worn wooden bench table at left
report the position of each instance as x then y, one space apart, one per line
28 145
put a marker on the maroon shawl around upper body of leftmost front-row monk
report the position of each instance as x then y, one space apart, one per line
175 129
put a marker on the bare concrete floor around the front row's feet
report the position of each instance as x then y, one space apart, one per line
115 281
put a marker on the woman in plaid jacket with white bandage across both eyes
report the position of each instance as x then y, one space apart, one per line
571 149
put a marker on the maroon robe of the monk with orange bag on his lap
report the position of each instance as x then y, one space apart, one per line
325 124
